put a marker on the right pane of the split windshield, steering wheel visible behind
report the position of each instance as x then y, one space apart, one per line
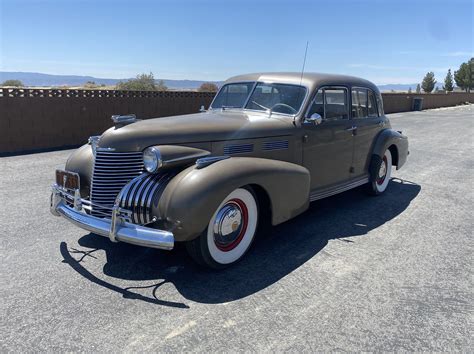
278 98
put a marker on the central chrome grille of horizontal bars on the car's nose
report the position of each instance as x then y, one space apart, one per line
112 171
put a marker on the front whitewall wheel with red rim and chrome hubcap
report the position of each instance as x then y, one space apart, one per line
229 233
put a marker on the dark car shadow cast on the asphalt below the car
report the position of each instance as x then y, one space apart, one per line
273 255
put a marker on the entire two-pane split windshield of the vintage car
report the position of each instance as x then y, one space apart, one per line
277 98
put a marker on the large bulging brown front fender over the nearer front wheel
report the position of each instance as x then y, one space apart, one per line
192 196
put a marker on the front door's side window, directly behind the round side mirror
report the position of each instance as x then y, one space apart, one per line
331 104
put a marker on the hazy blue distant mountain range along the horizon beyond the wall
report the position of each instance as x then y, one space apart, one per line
38 79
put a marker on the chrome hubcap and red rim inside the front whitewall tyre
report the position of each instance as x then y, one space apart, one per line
230 225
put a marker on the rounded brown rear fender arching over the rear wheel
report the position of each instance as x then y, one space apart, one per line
385 139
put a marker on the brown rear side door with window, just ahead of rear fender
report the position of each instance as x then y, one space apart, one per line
367 123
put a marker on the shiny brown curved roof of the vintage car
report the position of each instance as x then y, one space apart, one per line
310 80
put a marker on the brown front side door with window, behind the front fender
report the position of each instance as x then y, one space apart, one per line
328 146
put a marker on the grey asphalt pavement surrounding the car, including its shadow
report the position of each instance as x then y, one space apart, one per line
353 273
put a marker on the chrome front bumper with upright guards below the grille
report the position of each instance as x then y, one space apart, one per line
116 229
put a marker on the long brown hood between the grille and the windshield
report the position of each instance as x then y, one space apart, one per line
193 128
